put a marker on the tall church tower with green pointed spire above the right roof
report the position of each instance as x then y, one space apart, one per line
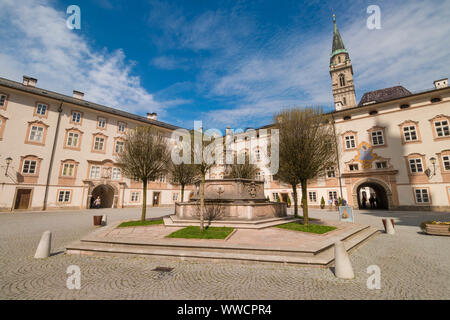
341 72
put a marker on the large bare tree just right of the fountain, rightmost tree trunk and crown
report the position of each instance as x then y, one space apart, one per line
306 146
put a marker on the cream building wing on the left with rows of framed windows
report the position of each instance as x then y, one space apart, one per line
58 151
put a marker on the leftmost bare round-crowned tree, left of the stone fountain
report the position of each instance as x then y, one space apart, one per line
144 157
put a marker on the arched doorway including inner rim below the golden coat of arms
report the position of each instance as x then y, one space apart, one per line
372 188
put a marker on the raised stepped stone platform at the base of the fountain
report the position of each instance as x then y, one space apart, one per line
272 245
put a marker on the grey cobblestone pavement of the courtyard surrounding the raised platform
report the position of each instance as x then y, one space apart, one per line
413 265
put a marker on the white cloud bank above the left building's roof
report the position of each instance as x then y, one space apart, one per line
39 44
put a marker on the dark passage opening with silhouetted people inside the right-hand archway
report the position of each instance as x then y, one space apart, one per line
374 194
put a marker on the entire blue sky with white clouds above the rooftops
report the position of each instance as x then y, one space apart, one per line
223 62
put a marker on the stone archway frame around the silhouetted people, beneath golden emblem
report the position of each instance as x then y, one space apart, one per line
380 189
